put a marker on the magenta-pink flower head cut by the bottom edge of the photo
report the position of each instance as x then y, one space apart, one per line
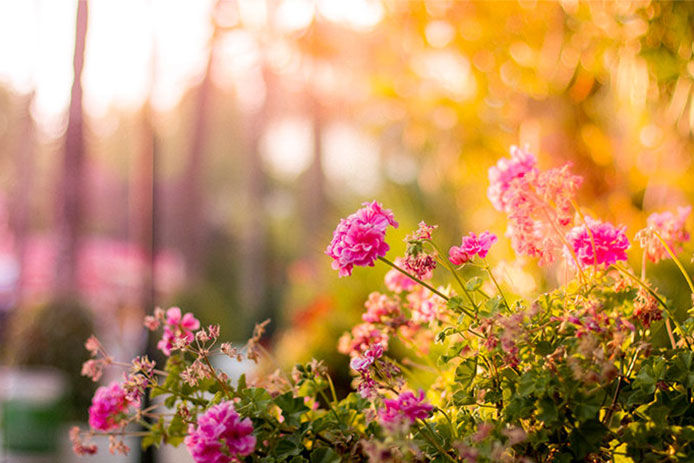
220 436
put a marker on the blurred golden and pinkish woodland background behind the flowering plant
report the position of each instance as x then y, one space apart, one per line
200 153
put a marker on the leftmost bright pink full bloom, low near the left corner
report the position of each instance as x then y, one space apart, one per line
110 407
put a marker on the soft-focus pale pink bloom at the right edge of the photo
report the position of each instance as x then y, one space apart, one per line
671 230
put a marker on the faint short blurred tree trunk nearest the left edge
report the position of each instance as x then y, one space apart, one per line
21 201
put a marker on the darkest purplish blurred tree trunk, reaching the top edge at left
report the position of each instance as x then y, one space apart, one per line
70 218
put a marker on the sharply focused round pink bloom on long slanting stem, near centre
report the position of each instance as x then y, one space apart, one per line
360 238
